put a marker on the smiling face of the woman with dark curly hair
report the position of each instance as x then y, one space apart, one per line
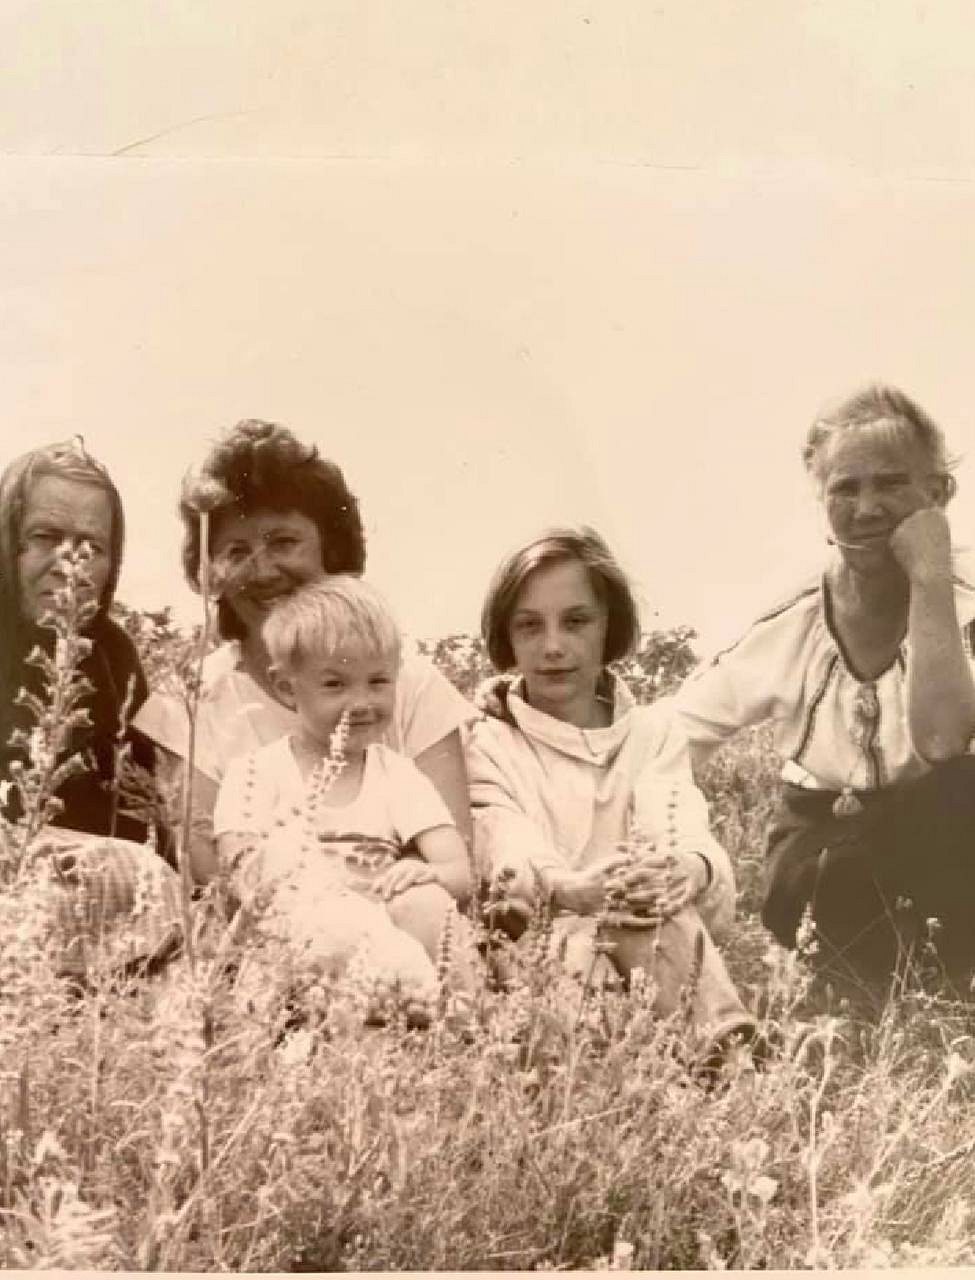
263 559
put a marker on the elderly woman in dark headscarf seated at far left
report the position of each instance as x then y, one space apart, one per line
61 554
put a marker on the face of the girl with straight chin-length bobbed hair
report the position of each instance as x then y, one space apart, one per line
559 636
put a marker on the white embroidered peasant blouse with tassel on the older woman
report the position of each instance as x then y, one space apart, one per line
831 728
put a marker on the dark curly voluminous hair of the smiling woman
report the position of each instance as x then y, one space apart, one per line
263 467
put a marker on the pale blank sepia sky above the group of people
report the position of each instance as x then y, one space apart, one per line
509 263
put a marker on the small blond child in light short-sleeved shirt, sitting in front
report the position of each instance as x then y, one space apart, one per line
351 844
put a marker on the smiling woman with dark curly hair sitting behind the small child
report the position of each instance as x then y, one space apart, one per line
282 516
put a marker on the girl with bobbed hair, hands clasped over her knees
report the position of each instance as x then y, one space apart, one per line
584 799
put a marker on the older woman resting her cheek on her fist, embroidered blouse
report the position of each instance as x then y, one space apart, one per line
867 678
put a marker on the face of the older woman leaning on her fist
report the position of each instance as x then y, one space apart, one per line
873 478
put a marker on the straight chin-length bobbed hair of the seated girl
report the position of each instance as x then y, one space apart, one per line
555 547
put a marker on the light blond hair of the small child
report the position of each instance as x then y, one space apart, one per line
340 612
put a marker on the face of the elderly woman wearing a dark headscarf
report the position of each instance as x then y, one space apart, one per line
61 511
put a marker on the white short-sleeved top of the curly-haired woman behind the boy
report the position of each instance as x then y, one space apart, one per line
236 716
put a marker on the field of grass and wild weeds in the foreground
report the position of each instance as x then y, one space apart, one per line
223 1114
